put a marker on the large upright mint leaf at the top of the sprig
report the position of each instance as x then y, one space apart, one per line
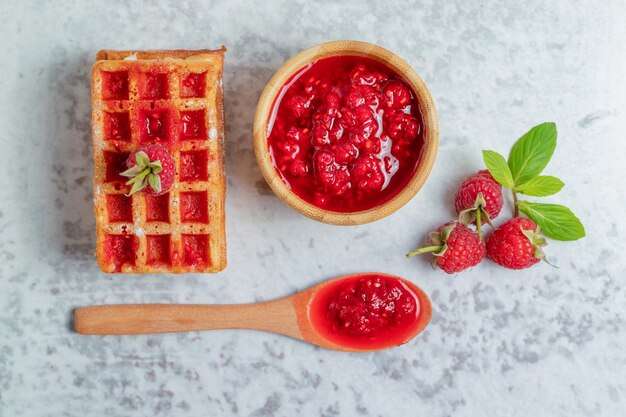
532 152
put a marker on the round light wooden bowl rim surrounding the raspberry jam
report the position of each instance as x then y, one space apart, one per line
342 48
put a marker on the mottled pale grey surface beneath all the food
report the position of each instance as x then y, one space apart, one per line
543 342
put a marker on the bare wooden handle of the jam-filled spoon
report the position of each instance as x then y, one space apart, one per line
276 316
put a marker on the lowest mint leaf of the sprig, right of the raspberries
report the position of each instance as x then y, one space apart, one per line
556 221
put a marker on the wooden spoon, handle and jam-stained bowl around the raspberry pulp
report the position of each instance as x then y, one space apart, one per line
290 316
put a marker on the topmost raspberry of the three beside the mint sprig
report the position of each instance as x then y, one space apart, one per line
468 201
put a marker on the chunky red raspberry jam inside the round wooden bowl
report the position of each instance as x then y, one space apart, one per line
346 133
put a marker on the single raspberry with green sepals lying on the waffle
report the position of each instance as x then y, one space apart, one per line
151 168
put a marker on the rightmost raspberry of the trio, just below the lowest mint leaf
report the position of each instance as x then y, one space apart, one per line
516 244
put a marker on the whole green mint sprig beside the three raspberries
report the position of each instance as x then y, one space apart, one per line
527 159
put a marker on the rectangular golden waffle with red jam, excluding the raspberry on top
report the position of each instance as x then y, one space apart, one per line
174 98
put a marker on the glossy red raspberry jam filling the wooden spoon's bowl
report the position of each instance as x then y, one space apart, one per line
366 311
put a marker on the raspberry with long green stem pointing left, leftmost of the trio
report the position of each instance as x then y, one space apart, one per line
454 246
